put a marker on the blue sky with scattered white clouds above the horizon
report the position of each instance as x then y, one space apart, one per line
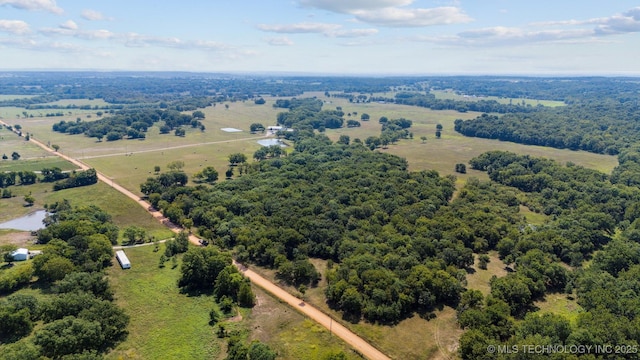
541 37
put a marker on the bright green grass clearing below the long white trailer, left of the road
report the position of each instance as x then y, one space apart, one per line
165 324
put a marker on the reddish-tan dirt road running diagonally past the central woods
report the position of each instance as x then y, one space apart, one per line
321 318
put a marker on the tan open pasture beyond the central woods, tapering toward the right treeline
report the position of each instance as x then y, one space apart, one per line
452 148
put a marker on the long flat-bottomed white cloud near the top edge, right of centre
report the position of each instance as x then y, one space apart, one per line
399 17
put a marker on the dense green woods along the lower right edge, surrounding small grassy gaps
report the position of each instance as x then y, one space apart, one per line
592 218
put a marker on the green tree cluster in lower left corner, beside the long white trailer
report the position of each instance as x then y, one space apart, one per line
78 318
